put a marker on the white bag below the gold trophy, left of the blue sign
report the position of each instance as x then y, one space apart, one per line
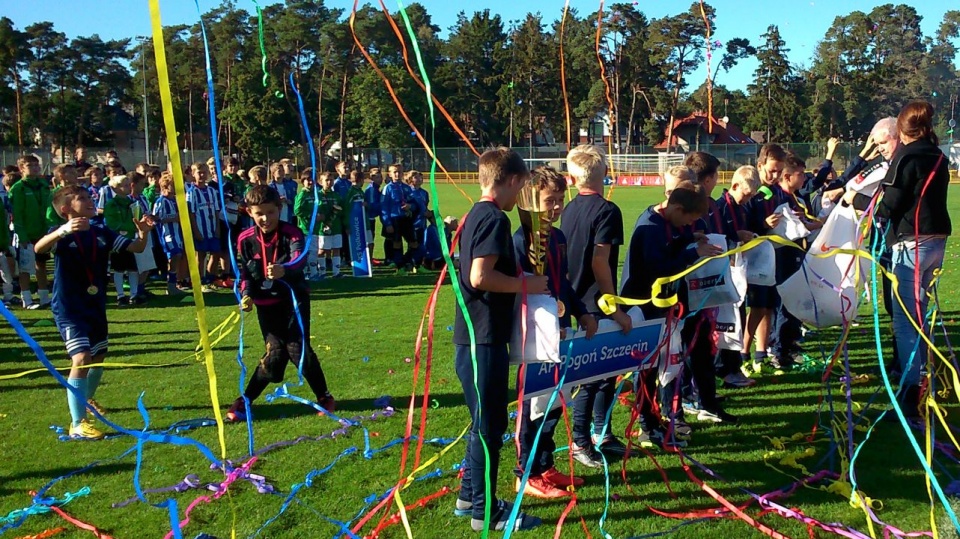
543 332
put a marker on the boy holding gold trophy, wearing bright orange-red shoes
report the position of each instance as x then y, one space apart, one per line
544 480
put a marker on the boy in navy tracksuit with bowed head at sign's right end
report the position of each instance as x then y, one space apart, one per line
662 244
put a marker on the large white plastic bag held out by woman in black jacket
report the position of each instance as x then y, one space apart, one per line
824 292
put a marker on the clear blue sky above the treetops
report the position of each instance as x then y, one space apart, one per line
802 22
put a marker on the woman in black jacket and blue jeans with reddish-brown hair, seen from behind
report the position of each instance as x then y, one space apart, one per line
914 203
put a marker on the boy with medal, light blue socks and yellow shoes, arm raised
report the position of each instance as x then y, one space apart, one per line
79 297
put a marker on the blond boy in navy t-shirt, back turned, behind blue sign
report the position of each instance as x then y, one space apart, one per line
594 230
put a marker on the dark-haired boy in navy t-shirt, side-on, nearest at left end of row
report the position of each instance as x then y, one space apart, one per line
489 285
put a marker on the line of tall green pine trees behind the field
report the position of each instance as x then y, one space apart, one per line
498 80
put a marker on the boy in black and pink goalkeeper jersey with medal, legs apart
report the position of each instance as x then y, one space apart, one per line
271 269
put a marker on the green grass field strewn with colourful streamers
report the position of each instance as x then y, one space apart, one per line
377 319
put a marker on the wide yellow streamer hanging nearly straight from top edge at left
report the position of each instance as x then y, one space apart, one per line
171 131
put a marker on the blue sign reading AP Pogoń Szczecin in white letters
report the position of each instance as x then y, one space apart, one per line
607 354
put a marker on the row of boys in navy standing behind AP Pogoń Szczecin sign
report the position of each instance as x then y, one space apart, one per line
582 265
